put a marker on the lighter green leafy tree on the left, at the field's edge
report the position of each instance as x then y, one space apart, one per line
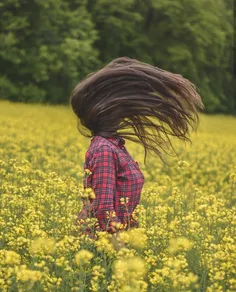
45 48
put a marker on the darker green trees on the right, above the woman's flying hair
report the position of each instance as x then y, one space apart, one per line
193 38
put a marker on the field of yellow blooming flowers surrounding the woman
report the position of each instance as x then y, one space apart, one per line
186 239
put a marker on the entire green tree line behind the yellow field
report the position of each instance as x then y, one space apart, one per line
47 46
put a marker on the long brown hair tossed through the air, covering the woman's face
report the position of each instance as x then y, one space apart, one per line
137 101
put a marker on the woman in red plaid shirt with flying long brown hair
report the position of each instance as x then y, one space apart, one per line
133 100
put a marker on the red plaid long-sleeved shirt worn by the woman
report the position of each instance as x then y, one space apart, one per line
116 181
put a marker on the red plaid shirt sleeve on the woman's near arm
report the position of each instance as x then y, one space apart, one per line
103 183
